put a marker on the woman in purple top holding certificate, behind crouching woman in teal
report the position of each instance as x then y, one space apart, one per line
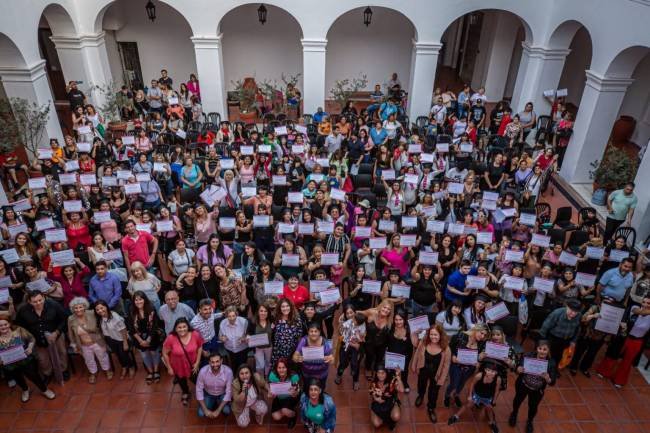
314 353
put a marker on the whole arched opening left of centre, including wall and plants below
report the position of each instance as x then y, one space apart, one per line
270 54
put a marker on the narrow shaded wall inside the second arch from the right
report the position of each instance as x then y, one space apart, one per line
573 75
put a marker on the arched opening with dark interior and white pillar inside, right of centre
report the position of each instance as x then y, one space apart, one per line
483 49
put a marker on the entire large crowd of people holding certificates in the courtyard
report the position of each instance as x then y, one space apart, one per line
256 265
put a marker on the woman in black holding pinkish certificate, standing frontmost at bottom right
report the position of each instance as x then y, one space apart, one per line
532 385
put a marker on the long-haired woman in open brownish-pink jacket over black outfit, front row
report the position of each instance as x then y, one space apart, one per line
431 363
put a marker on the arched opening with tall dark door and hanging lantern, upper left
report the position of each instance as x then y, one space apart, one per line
138 49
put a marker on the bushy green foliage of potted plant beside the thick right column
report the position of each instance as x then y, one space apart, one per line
614 170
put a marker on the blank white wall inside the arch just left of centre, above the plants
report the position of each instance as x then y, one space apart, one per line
251 49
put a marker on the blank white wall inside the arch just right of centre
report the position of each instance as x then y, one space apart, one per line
378 50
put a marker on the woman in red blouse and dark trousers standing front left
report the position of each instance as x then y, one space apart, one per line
182 355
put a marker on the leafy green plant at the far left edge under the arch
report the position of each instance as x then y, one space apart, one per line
22 123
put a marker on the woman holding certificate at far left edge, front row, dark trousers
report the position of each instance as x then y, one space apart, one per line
17 359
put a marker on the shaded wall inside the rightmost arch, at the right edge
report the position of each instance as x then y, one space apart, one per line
637 102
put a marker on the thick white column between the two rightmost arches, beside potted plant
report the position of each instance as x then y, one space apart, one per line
600 104
